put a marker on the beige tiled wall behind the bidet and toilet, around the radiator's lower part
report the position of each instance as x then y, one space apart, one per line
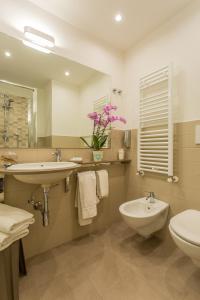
182 195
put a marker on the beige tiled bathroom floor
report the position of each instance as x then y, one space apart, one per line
113 265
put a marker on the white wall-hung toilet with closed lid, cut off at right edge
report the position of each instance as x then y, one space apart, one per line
185 231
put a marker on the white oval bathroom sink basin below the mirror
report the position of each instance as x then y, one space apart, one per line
44 173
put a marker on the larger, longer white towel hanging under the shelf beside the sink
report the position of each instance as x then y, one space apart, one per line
86 198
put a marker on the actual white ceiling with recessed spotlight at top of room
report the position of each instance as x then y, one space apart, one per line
96 17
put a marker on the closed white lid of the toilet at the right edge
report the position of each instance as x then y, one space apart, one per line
187 225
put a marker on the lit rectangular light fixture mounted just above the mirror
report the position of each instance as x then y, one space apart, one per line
38 37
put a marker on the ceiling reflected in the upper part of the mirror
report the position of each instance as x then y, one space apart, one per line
33 68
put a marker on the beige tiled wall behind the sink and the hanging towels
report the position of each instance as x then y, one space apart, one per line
63 215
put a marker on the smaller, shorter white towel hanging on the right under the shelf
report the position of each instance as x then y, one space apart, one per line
102 183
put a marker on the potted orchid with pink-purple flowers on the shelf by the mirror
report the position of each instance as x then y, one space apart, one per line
101 127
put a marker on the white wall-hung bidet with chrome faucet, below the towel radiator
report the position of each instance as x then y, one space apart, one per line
143 216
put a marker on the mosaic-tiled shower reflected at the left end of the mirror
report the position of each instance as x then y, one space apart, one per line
17 115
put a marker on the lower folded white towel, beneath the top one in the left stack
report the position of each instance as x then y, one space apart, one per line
7 239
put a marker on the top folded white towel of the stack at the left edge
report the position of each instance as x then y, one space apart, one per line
14 219
